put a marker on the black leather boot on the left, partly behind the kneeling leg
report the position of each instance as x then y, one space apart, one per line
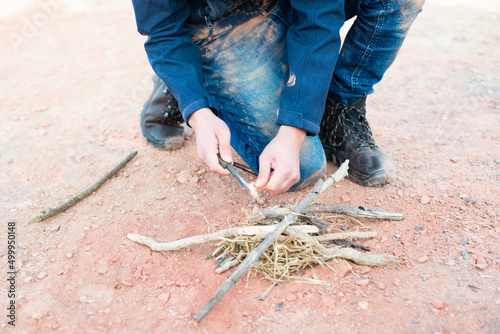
161 119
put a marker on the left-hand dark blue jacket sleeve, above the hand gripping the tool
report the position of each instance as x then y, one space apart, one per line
172 54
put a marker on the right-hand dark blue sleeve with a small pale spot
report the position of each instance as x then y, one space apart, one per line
313 44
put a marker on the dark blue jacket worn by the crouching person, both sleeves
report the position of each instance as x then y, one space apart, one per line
313 44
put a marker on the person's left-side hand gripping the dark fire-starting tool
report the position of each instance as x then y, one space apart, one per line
212 137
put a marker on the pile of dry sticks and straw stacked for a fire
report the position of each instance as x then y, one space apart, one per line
284 233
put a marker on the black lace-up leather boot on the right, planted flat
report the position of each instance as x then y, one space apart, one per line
346 134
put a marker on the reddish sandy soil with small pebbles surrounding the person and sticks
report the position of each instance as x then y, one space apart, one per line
73 78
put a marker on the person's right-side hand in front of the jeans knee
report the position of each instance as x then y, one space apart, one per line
281 155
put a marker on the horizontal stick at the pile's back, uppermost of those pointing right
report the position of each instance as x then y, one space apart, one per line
270 213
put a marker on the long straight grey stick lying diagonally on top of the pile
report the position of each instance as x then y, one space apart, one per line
257 252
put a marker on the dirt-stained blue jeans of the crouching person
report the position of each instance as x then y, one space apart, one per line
245 69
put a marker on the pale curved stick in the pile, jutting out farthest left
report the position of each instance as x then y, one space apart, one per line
260 232
